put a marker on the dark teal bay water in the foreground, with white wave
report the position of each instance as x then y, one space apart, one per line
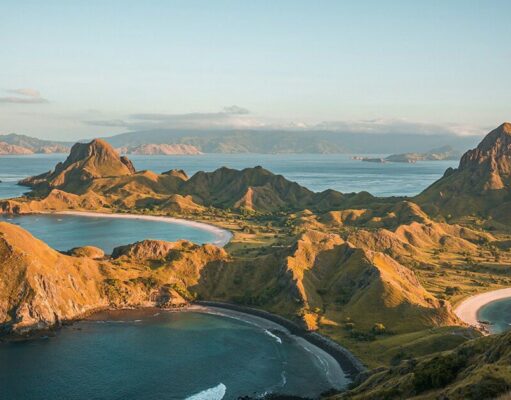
141 355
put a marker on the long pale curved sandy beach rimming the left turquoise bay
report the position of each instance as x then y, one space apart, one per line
223 236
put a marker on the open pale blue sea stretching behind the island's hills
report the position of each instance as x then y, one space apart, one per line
317 172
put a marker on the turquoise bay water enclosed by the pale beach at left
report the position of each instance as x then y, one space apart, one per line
64 232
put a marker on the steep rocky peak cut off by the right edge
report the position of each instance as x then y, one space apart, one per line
481 184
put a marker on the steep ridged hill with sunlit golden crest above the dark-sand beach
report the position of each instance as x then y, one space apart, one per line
324 280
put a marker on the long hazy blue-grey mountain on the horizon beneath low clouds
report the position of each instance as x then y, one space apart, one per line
286 141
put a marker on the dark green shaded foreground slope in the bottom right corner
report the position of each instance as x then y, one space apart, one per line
476 370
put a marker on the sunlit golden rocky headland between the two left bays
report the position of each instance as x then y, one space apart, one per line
41 288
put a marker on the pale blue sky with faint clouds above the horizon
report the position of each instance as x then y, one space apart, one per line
74 70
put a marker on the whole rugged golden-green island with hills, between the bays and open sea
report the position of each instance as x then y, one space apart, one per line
379 277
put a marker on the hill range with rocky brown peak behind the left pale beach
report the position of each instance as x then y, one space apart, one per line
95 170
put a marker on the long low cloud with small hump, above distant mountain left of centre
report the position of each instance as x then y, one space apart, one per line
229 117
